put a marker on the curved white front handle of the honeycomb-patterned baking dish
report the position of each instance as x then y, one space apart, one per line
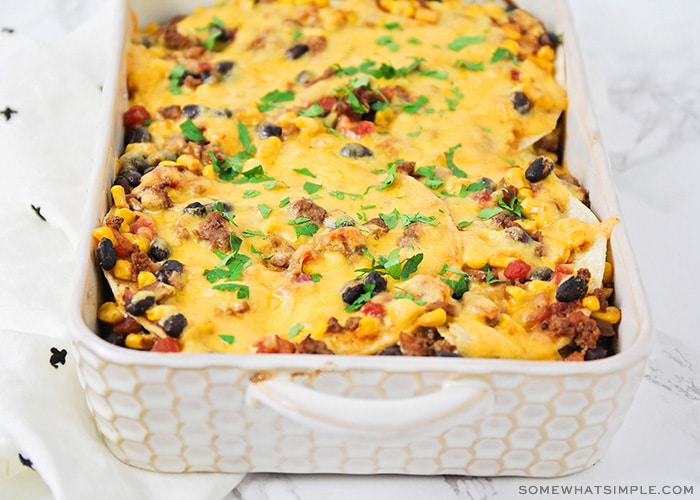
456 402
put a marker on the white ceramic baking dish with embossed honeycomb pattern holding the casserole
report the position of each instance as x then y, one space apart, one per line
354 414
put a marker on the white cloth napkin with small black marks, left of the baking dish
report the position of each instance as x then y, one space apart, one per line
51 54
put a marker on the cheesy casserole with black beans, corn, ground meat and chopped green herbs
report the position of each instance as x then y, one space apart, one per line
355 177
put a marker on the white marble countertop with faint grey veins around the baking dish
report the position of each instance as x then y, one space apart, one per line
643 62
